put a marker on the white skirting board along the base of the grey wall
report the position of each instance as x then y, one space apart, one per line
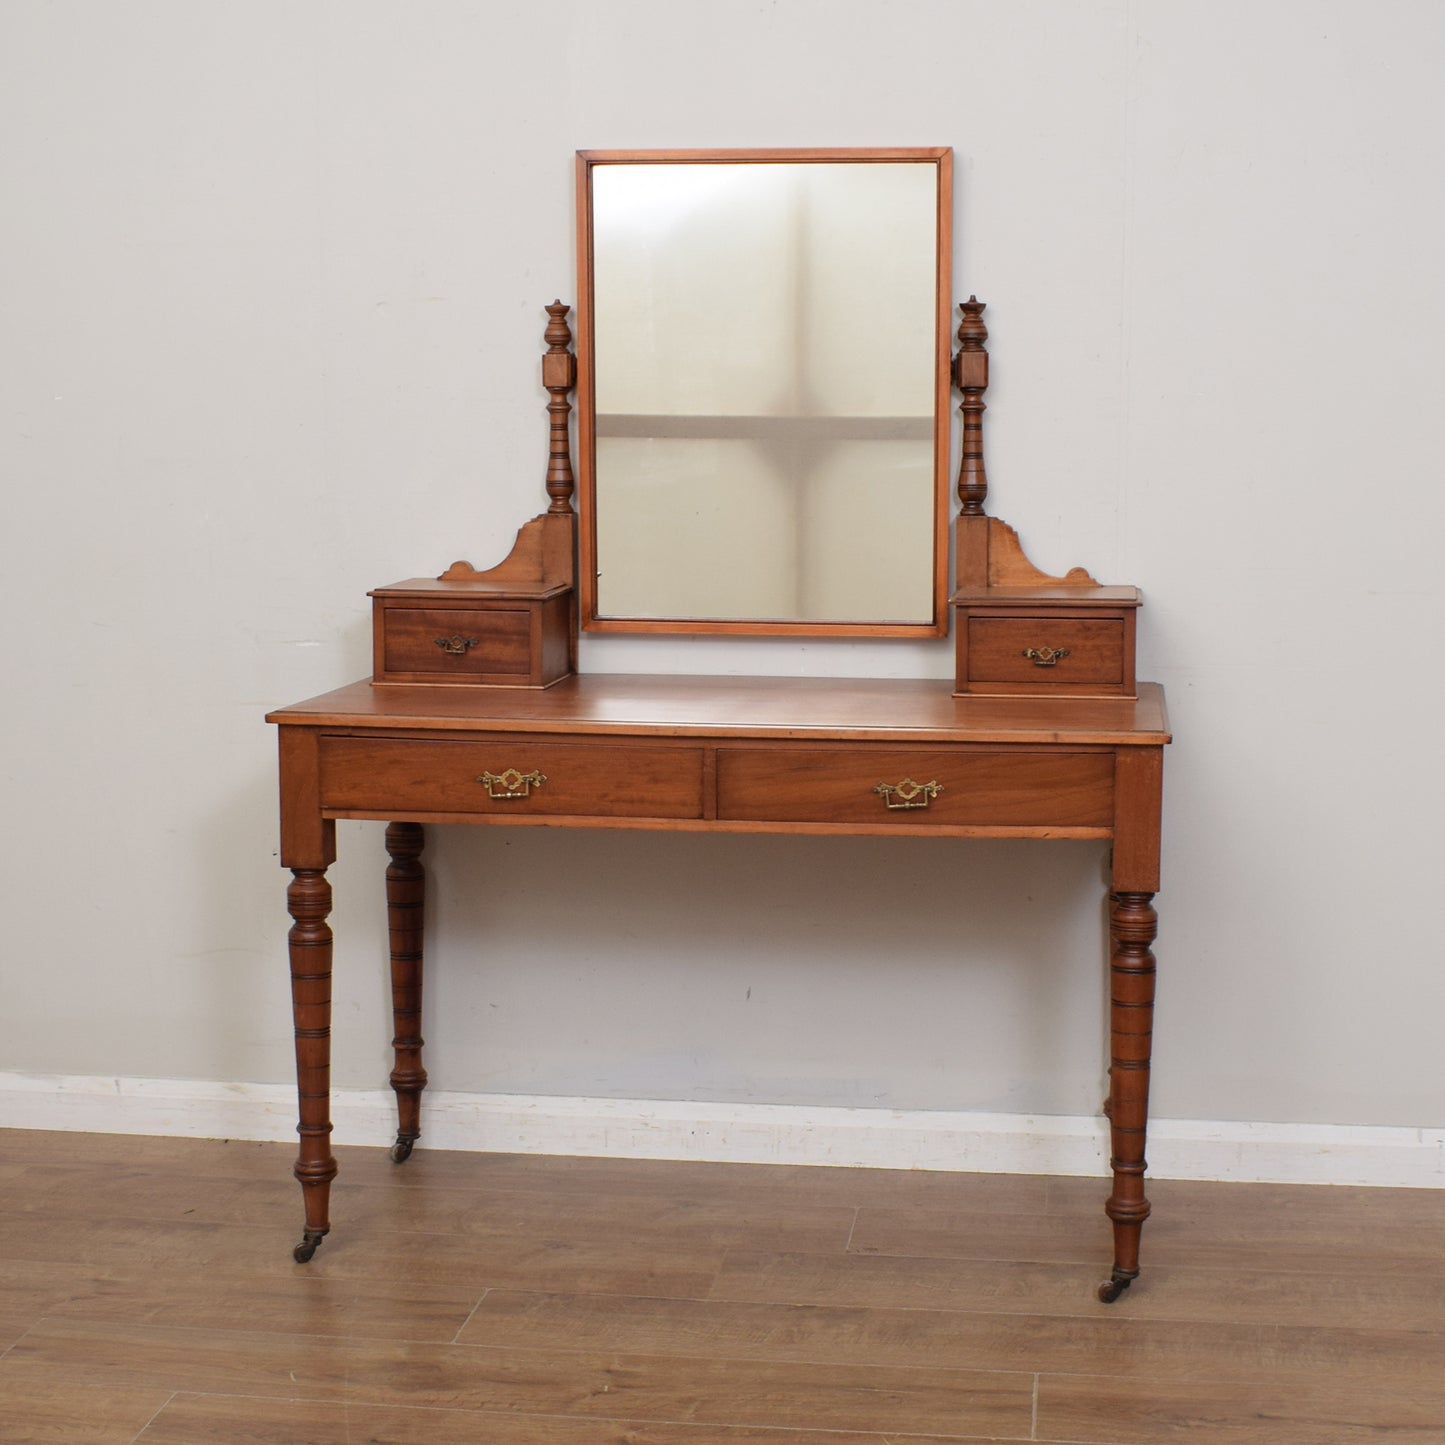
738 1134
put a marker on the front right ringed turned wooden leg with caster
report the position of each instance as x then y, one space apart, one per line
1134 926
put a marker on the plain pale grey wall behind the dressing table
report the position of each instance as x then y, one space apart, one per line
272 293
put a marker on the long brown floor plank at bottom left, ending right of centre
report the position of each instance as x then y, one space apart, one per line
595 1385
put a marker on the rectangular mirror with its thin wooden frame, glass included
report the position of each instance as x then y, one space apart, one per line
764 397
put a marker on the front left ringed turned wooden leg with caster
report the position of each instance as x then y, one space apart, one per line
309 900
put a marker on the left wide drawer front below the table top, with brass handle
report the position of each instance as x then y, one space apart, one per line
509 778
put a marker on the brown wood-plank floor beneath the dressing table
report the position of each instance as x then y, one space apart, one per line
148 1295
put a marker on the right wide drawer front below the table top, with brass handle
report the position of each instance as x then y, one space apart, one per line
889 787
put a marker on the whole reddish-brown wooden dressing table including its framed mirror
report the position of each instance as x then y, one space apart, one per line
476 713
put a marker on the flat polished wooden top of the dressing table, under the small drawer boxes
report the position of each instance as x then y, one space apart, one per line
684 706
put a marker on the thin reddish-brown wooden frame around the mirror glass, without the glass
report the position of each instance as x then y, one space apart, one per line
937 626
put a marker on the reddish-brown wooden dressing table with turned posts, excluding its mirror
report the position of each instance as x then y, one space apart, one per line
476 715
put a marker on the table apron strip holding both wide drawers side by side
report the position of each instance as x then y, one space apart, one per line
722 785
